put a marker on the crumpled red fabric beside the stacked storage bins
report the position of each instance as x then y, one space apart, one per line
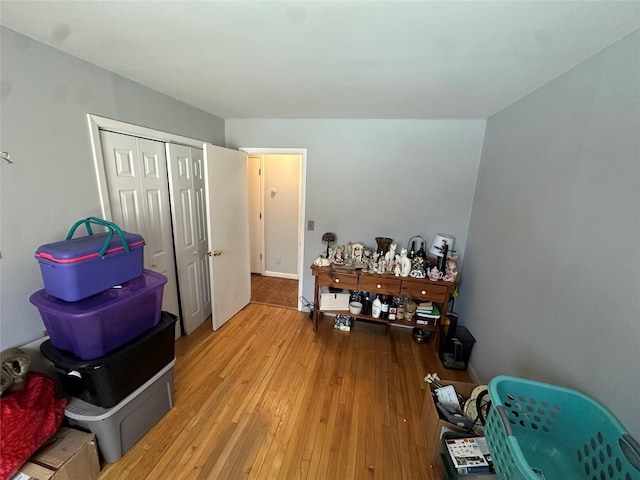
27 419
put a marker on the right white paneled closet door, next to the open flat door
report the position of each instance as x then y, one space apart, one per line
182 170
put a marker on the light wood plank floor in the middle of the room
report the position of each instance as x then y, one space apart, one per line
266 397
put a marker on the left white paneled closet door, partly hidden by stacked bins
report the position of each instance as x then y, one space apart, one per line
136 174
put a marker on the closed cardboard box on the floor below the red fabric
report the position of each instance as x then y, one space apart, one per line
68 455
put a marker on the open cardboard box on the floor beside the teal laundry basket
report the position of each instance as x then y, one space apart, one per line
434 426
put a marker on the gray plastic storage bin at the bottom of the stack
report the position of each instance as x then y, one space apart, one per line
118 428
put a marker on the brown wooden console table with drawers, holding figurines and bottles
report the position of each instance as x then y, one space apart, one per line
418 289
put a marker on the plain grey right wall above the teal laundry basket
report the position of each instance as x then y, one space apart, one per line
551 278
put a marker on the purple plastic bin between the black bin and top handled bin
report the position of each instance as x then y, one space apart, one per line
93 327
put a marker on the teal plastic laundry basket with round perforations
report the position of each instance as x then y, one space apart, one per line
538 431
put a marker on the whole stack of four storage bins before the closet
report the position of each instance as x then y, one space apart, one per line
109 340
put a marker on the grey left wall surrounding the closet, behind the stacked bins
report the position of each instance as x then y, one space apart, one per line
46 95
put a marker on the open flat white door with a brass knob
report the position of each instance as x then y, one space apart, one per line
227 199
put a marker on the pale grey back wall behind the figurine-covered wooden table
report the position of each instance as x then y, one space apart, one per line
370 178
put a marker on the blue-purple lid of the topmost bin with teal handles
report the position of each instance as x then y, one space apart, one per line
85 248
